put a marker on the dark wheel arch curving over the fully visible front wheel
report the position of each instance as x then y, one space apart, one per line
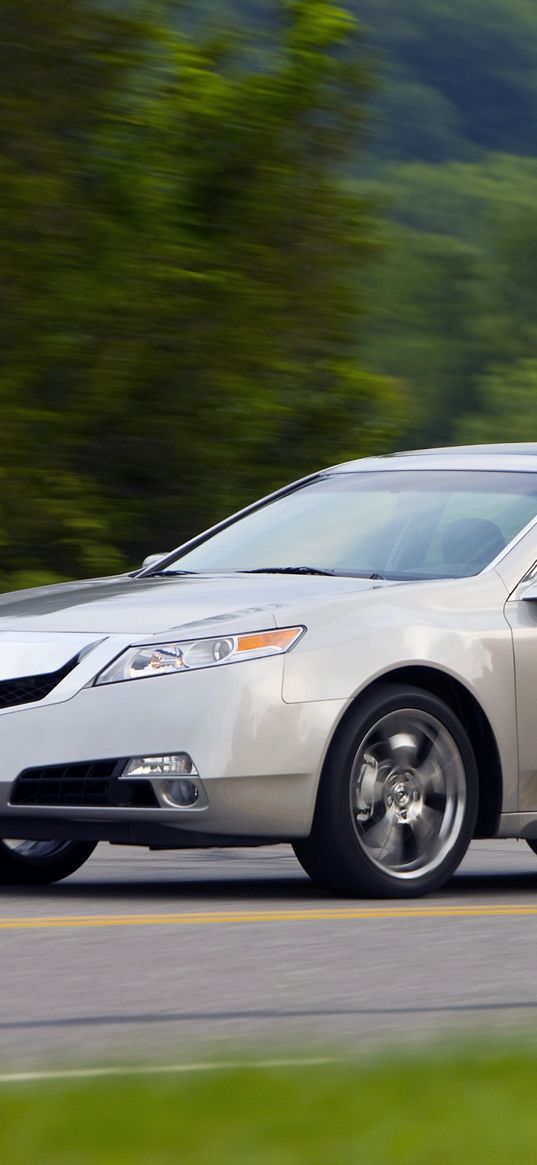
475 721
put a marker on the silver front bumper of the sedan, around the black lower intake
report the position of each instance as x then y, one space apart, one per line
259 759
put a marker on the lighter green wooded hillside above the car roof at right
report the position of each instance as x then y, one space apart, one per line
456 296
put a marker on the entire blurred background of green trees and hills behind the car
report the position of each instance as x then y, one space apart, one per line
195 306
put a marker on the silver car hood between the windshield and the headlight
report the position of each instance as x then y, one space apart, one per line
150 606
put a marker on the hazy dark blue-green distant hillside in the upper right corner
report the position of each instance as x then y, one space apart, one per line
456 77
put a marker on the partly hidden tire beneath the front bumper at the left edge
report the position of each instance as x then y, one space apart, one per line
41 863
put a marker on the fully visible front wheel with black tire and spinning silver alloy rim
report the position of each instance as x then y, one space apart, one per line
398 800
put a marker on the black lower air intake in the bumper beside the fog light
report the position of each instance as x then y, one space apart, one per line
93 785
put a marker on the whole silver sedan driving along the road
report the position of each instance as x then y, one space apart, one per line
349 666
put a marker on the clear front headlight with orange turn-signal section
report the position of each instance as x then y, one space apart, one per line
169 659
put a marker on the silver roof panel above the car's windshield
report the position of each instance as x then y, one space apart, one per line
520 457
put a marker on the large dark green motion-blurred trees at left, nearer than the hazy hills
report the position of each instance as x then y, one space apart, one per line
179 259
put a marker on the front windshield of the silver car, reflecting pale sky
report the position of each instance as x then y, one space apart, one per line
398 525
